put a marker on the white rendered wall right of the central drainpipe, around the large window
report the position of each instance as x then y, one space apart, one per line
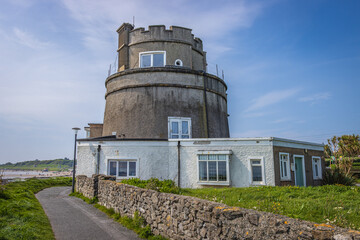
242 151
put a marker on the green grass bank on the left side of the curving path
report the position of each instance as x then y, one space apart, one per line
21 215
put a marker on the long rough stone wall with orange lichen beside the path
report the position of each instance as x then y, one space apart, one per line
183 217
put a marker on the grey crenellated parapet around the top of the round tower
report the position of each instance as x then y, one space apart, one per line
160 33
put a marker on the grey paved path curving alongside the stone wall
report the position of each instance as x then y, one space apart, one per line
72 218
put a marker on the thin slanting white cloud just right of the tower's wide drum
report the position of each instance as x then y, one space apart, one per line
271 98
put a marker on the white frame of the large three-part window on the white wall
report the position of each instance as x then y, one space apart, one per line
227 159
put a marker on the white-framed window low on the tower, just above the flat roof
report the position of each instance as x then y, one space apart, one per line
179 127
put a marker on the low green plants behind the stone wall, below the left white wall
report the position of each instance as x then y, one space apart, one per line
167 186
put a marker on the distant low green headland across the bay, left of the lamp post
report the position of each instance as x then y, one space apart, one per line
52 165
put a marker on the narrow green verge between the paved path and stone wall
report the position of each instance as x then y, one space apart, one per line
137 223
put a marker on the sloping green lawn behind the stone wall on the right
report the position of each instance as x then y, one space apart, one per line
337 205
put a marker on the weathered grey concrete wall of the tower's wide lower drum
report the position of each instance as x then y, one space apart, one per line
139 102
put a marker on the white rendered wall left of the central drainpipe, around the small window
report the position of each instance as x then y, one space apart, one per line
151 157
